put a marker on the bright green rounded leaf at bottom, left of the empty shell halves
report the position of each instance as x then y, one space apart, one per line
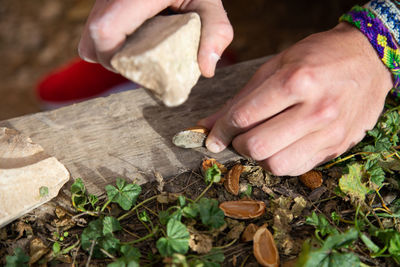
176 241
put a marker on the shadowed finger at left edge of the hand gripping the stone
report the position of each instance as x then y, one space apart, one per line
86 47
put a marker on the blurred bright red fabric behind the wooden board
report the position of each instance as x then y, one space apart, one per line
77 80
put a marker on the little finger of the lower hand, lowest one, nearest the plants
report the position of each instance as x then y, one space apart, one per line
306 153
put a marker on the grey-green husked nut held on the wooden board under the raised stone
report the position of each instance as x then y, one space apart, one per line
191 138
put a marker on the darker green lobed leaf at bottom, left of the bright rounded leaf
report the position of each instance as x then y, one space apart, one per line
100 232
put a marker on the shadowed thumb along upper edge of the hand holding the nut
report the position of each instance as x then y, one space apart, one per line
266 70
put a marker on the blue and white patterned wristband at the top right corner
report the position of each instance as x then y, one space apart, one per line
389 14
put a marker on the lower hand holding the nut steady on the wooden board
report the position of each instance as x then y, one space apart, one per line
306 105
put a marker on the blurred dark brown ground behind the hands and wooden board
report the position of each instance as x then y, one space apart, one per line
38 36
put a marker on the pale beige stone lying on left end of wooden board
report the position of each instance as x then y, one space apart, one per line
28 176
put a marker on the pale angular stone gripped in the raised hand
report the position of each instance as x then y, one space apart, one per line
162 56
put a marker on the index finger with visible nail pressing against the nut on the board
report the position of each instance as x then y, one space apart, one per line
263 102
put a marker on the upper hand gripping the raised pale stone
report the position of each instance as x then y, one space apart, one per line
111 21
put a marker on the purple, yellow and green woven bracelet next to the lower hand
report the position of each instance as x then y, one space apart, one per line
380 38
